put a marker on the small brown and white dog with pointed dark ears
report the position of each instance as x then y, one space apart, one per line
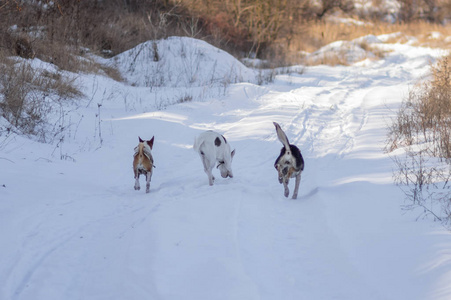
143 162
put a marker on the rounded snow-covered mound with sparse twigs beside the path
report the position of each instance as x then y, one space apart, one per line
180 62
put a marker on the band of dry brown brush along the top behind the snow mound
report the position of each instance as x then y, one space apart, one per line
273 30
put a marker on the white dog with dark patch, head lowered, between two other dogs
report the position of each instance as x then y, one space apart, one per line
213 147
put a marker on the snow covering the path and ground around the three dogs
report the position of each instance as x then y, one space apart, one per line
78 229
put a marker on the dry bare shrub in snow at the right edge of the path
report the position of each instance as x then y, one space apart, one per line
422 131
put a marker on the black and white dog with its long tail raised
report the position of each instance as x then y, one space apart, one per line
289 164
